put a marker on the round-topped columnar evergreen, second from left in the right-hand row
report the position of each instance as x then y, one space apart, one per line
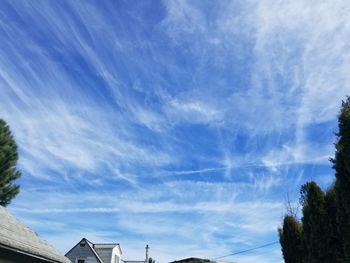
314 223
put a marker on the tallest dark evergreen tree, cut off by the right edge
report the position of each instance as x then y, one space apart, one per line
341 164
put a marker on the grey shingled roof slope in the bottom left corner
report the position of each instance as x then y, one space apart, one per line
16 236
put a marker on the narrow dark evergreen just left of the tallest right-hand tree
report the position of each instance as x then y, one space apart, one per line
333 241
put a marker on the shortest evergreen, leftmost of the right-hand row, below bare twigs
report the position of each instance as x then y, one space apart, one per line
290 239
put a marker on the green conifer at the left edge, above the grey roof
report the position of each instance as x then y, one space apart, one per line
8 160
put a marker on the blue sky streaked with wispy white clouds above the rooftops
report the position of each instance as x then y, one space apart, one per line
184 125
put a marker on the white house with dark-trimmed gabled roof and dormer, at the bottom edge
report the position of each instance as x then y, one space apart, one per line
88 252
